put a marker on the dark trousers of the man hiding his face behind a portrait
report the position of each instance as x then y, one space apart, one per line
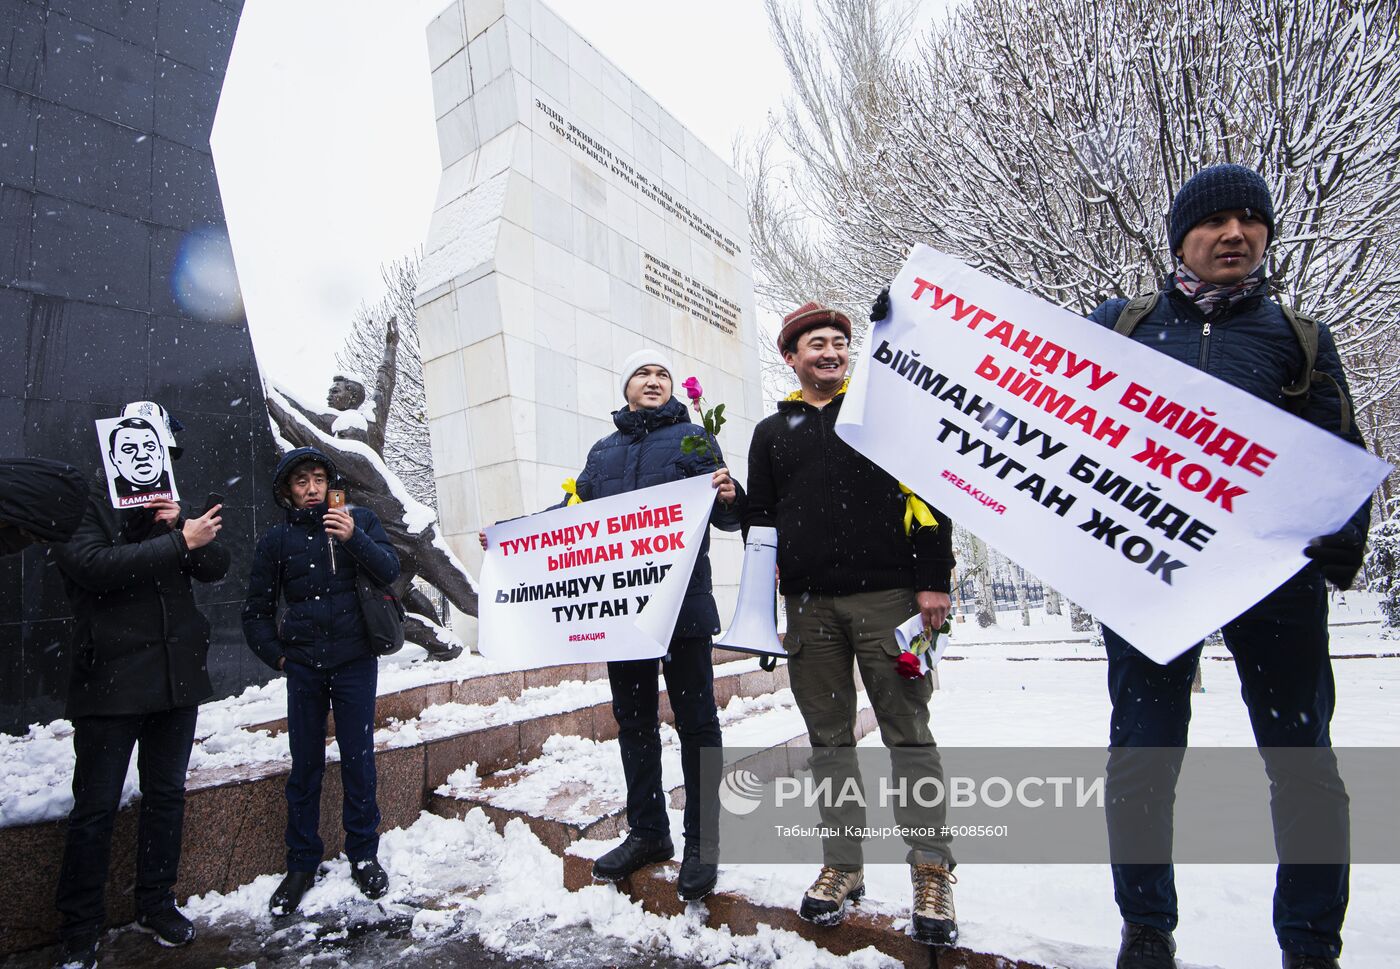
103 751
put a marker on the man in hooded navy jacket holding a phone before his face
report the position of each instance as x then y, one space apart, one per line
321 645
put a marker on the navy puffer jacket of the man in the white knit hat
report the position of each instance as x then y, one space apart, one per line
646 452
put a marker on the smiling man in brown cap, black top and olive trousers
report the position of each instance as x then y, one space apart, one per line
852 572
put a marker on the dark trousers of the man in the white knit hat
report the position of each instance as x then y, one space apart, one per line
691 688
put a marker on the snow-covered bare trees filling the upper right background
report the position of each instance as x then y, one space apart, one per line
1044 144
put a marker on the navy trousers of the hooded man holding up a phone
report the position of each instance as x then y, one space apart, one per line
349 691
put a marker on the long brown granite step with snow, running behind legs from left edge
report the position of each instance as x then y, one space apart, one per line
236 816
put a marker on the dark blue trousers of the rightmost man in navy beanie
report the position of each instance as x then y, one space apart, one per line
1280 649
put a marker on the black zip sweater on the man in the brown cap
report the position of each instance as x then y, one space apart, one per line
841 519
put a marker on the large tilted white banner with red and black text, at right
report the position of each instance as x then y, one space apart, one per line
1158 498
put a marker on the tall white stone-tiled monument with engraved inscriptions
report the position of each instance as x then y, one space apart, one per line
576 222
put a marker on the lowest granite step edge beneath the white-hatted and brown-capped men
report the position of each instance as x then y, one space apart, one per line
654 888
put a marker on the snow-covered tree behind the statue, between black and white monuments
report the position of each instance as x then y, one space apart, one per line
407 450
